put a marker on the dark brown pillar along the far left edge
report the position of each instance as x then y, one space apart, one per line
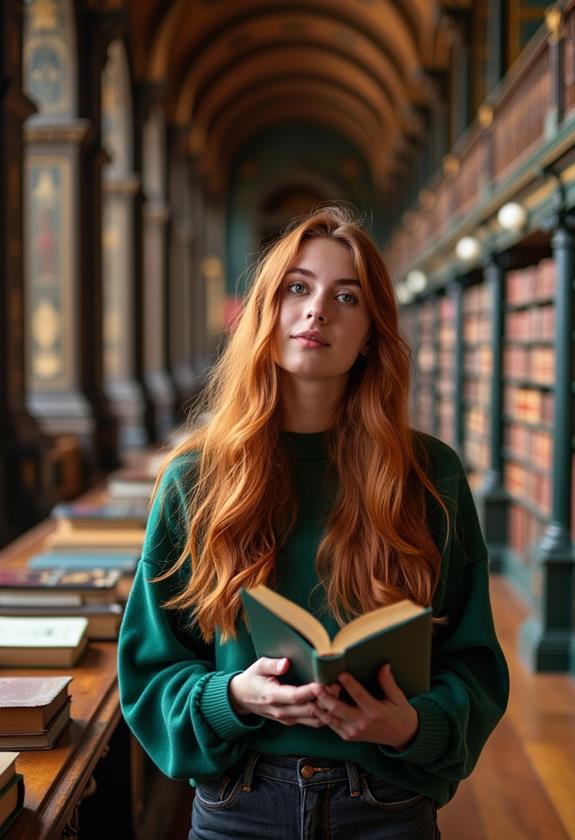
24 478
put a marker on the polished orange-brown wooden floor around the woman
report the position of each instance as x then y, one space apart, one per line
523 787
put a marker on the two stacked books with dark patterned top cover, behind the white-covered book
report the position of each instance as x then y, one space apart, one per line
95 594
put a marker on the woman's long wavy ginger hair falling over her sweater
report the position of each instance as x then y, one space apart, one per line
377 547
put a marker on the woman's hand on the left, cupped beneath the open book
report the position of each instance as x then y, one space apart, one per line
258 691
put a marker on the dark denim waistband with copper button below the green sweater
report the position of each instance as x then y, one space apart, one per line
303 771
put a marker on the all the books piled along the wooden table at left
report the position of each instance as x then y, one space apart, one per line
70 593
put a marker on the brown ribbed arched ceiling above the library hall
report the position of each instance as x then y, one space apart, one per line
232 68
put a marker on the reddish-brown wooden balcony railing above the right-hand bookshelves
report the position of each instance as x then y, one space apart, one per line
518 118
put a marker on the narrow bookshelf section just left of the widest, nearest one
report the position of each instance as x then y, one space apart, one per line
477 367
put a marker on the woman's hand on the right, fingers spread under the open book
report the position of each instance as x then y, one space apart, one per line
392 721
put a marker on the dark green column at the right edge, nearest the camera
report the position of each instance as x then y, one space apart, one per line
547 639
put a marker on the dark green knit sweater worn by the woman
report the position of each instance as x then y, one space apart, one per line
174 686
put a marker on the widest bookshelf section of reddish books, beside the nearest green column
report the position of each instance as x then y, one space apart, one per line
528 398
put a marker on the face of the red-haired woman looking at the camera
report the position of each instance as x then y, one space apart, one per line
323 319
